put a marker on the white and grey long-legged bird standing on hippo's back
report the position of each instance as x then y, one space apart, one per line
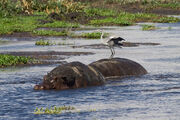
111 42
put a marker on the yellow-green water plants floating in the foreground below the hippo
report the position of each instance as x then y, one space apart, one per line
53 110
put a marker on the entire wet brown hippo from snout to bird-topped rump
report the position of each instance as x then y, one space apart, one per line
76 74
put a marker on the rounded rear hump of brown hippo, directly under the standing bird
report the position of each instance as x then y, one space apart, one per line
118 67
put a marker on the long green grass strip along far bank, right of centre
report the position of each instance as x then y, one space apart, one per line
126 19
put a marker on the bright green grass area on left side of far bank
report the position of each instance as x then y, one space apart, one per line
29 24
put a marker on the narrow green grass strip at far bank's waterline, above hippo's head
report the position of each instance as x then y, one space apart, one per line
49 33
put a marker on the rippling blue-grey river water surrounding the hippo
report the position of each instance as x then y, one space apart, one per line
155 96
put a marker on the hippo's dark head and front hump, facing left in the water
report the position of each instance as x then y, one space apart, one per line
71 75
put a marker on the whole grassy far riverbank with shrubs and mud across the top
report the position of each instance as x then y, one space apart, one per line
27 16
